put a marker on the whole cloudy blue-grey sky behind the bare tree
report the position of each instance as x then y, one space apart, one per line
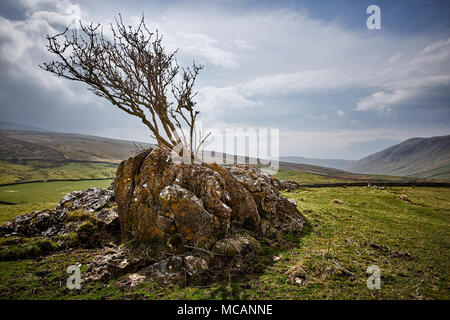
311 69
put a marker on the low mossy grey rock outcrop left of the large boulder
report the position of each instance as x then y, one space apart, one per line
90 214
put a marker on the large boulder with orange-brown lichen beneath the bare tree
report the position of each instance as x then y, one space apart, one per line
197 204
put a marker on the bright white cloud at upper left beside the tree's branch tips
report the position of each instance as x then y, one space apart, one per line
22 43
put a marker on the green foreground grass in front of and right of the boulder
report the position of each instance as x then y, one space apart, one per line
339 242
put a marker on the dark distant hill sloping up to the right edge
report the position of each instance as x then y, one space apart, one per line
417 157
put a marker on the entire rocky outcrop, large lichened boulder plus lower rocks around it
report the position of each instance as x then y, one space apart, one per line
163 221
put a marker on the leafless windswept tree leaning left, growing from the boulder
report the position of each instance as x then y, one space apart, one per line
133 71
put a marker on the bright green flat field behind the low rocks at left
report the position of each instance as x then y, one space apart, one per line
39 196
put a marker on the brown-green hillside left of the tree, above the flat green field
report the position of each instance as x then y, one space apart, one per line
27 155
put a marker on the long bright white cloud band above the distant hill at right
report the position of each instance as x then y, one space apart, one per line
394 83
